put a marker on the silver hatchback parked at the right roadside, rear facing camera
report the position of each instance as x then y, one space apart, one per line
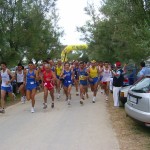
138 101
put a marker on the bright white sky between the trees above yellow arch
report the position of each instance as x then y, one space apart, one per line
72 14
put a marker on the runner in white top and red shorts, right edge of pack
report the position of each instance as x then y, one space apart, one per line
106 75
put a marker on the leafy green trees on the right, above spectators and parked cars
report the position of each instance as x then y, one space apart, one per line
121 34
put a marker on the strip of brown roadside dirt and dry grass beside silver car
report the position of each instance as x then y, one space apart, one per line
131 134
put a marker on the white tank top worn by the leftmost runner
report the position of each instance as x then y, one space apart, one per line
5 77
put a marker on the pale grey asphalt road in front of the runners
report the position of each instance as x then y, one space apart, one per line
65 127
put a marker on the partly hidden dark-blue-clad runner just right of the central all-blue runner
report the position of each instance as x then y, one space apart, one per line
76 76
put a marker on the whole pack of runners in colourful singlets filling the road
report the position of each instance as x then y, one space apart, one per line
50 76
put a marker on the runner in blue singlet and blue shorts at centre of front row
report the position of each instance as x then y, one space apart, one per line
67 76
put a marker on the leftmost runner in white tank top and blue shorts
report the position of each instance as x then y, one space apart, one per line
6 86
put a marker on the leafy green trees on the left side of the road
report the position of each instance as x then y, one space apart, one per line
27 30
